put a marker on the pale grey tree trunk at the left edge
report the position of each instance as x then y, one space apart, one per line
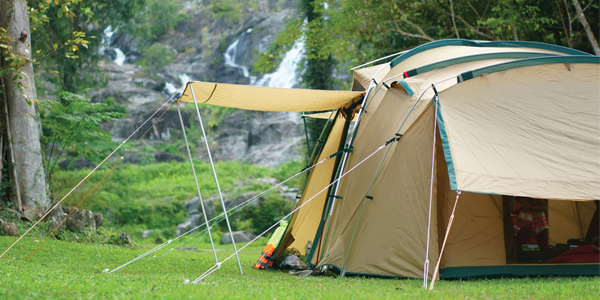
24 124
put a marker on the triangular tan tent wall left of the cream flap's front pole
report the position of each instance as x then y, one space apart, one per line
392 248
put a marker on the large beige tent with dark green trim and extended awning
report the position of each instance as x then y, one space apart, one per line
466 126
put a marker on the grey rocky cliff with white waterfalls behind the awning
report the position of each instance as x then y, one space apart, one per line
208 49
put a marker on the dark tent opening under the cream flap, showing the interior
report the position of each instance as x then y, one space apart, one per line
551 231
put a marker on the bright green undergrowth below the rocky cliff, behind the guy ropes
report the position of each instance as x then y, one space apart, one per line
153 195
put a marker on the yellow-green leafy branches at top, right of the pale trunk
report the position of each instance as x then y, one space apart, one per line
66 36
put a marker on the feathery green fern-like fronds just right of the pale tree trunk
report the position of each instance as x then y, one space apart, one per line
72 121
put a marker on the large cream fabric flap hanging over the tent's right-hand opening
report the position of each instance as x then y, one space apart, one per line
504 139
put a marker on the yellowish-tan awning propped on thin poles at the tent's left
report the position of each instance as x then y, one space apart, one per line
265 98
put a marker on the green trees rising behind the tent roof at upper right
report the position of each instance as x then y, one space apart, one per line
357 31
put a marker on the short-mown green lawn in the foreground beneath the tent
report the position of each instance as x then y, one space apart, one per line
74 271
